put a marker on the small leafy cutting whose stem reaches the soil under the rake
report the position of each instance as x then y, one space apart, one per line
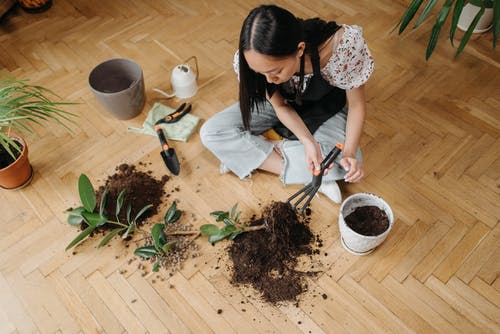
233 227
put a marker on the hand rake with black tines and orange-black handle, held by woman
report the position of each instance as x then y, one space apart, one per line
312 187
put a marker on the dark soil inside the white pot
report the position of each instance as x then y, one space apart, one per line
368 220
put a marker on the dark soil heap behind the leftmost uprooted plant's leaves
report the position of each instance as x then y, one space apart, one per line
140 188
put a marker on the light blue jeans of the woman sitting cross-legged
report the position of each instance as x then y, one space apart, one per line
243 151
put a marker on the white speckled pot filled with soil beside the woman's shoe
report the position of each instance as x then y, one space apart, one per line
365 220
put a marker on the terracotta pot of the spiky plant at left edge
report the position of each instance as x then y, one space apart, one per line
18 174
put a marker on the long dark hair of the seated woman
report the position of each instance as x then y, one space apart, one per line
273 31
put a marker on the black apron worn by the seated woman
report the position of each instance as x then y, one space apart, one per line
319 102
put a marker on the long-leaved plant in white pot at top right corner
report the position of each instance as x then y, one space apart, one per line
469 16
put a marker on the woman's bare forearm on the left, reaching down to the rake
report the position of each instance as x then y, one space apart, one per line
289 117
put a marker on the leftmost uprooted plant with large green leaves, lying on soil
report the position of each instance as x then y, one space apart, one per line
87 215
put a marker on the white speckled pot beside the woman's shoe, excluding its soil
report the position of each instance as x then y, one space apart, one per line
352 241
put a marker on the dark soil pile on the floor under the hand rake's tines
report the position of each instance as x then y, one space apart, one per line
266 259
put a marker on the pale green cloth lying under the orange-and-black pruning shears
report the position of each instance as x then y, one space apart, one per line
180 130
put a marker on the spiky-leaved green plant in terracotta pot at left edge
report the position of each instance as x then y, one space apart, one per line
22 105
